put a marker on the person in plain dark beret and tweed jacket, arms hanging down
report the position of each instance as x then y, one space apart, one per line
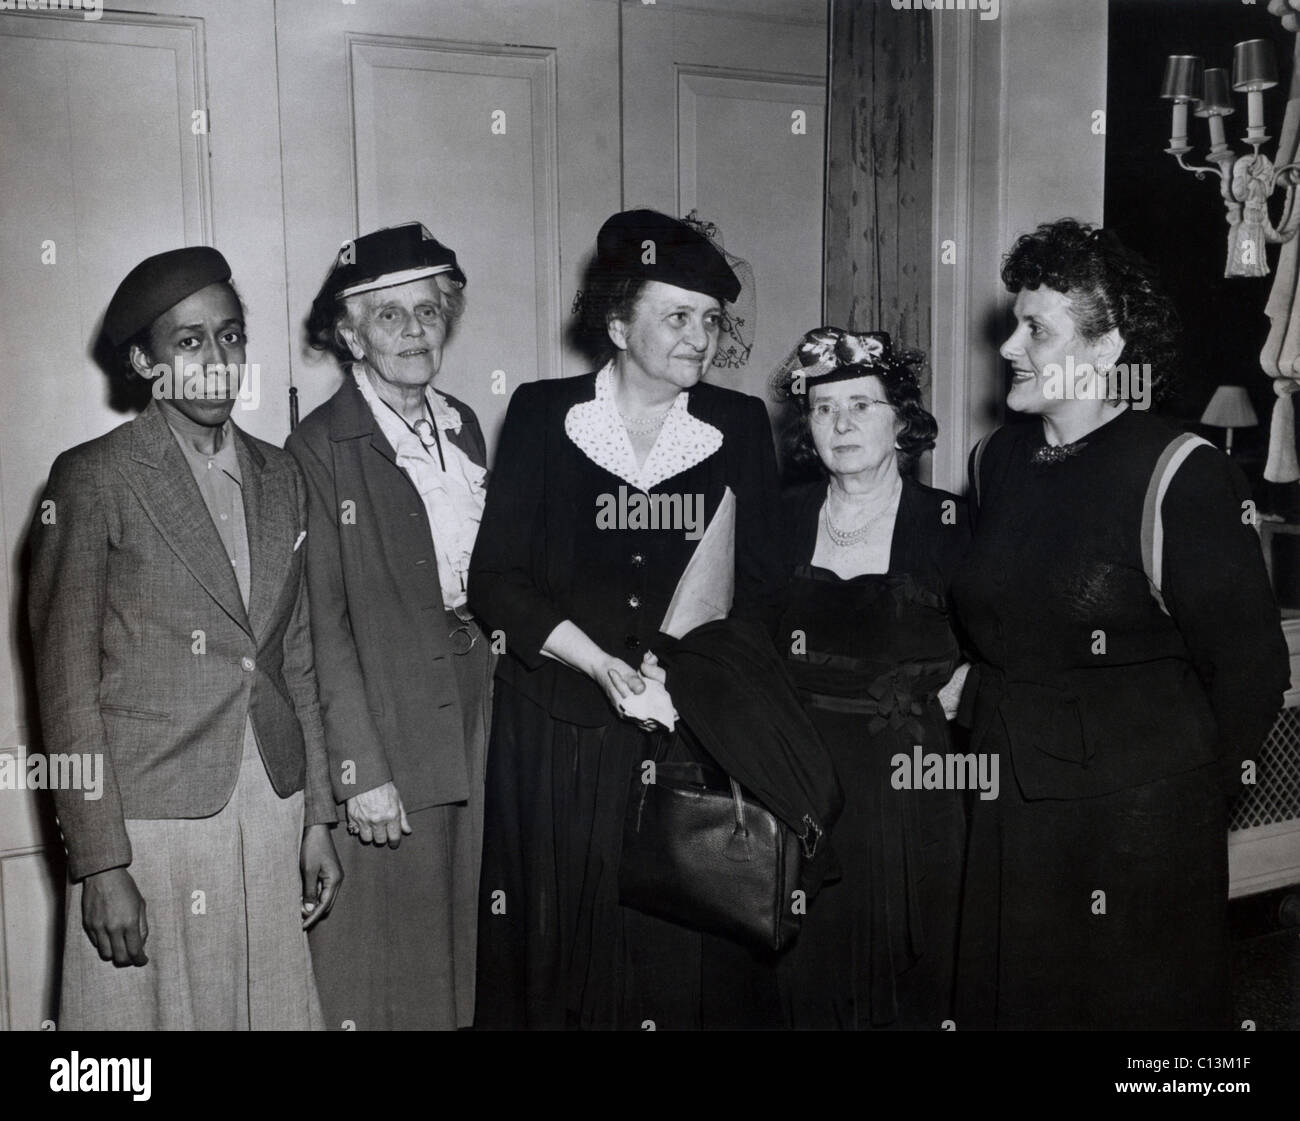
171 626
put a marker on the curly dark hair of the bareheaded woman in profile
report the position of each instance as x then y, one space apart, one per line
1111 288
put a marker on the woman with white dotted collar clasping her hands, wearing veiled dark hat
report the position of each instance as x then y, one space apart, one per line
580 586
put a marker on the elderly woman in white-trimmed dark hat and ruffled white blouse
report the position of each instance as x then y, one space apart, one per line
396 474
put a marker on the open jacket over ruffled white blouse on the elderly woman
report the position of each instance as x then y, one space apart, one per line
383 655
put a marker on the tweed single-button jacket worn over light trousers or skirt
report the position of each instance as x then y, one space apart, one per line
145 651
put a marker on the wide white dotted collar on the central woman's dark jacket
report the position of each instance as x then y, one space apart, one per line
597 430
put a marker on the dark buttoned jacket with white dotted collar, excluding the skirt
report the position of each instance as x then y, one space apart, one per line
541 559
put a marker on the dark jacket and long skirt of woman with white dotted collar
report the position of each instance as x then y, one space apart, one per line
556 947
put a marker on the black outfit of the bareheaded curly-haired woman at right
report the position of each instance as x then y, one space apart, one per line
1097 885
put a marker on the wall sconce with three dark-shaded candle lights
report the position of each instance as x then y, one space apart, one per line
1246 183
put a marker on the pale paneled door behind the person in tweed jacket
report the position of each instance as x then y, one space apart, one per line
120 137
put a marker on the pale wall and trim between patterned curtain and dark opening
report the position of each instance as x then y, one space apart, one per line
1015 146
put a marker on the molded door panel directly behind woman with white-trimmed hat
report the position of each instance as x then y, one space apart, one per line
513 201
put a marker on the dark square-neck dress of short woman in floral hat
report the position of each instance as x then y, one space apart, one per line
877 949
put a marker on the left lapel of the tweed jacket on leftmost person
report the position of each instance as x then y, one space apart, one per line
161 478
